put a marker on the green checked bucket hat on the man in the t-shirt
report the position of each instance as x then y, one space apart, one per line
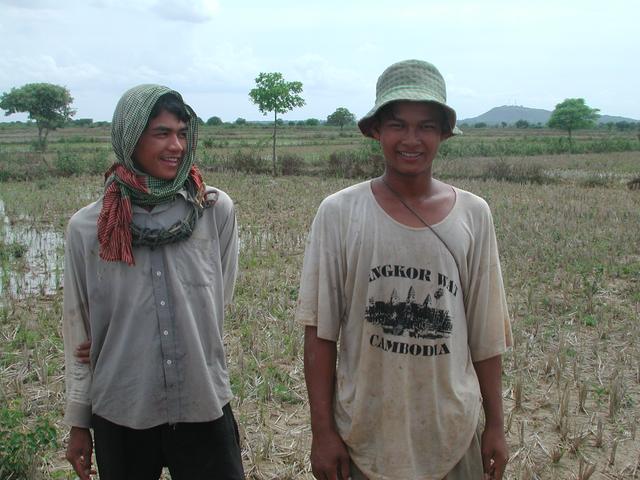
410 80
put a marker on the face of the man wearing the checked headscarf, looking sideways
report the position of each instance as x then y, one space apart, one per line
162 146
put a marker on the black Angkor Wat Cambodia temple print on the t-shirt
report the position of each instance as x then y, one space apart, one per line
422 318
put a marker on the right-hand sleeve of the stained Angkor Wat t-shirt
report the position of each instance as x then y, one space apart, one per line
489 327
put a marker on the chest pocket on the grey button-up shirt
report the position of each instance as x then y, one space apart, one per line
198 261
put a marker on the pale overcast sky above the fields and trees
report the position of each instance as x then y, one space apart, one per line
491 53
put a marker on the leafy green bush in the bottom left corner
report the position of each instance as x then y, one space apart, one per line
22 445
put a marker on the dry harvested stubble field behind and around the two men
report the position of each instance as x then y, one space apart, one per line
571 264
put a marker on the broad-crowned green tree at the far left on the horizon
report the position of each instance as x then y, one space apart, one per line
47 104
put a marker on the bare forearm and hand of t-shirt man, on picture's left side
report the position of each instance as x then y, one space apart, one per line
329 456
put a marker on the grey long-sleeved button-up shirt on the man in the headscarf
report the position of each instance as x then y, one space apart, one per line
157 353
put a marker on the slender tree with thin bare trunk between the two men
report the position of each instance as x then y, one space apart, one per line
274 94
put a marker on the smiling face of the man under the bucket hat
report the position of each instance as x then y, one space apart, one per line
409 134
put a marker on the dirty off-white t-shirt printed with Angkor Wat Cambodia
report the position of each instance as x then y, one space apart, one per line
410 326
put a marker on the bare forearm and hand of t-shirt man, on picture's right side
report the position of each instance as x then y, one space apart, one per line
494 449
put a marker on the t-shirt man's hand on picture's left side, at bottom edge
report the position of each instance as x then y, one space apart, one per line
329 457
